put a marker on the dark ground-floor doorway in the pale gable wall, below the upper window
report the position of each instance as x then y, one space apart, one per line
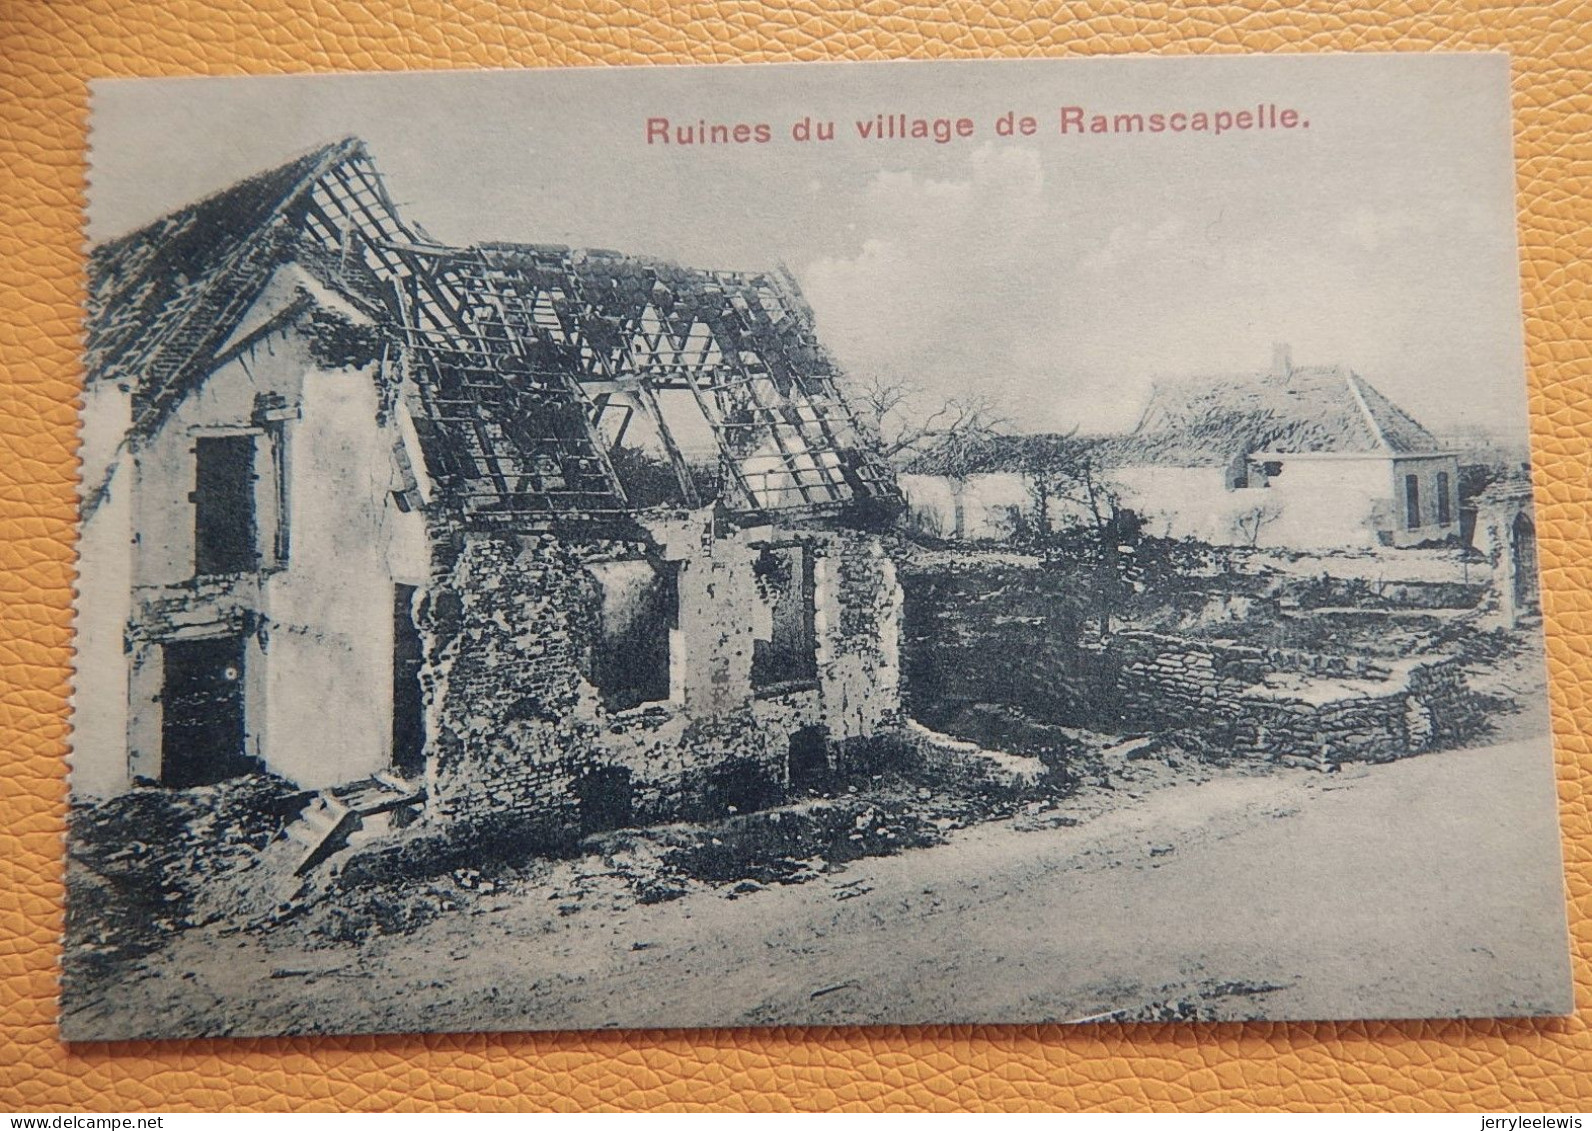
203 713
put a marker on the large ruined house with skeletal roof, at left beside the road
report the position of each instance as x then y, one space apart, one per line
505 531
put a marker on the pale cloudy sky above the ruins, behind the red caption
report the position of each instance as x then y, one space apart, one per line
1059 275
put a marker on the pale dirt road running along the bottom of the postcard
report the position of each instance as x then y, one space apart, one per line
1410 890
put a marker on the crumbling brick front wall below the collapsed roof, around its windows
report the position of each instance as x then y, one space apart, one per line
518 734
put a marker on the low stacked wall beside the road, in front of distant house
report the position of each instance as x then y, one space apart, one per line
1287 705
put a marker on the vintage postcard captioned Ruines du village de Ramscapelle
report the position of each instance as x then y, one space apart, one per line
838 544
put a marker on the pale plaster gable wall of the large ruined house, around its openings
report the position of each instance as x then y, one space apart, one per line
318 612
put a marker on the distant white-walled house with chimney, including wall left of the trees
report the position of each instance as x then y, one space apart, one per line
1301 458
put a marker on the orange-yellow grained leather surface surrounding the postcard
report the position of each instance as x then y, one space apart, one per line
49 50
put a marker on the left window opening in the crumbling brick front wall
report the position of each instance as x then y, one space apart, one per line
641 611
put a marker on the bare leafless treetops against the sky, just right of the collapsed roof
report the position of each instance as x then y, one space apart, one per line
908 423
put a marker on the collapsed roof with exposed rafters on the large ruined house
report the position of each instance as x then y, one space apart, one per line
513 361
